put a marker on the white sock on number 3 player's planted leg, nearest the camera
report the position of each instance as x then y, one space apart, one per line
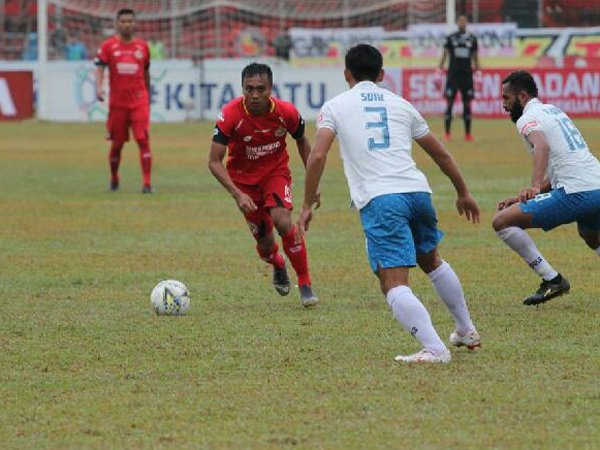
413 316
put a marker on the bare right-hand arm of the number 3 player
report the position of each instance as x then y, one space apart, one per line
465 203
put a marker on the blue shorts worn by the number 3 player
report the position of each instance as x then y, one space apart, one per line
397 227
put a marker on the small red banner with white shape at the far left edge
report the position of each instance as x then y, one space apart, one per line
16 95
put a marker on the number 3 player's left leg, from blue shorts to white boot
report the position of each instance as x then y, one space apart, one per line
391 252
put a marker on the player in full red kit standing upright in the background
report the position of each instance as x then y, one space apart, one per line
128 62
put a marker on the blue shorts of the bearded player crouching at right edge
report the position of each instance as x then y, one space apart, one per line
556 207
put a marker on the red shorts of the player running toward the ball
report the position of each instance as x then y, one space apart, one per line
274 191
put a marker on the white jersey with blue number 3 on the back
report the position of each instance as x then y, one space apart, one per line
375 128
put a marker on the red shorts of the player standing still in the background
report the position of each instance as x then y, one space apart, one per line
121 119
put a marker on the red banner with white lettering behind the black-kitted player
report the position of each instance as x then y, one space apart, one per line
575 91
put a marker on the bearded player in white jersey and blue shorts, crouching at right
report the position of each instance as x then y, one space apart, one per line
565 184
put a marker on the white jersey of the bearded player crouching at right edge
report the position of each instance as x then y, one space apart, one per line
570 164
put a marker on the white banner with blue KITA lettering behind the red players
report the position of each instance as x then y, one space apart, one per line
181 91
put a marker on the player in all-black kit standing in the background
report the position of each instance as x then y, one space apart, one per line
461 49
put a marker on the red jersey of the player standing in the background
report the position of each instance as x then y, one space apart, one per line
127 62
